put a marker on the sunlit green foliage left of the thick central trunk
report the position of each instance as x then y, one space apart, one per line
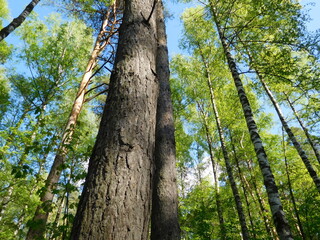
37 106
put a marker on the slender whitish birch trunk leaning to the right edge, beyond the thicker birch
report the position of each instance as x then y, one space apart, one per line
292 137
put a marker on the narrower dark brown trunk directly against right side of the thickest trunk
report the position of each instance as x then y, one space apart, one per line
164 217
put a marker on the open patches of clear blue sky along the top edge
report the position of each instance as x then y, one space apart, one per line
174 26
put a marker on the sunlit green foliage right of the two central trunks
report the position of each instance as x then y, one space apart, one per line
254 34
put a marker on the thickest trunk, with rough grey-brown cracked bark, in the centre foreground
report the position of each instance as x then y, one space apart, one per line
116 199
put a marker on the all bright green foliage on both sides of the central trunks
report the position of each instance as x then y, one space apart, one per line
39 81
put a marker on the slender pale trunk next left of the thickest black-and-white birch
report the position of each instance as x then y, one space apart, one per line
242 220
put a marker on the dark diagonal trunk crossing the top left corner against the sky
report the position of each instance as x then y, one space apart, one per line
16 22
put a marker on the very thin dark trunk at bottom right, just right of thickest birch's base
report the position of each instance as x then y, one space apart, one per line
300 228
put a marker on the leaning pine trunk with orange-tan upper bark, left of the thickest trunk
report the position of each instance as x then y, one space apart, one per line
41 214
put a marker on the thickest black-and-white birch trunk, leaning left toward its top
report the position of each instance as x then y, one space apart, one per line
278 214
